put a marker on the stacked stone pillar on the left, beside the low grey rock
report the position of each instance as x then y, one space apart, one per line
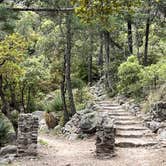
27 135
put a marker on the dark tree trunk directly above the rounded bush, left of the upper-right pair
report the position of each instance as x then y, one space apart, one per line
130 38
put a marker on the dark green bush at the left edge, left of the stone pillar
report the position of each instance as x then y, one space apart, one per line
4 131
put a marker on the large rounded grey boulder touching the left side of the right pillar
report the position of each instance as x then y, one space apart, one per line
88 123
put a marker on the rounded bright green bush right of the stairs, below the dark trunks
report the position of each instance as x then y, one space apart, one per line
129 75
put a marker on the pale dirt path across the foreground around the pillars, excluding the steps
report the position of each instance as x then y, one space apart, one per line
61 152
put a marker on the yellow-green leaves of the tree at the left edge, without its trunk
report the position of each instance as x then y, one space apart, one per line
13 51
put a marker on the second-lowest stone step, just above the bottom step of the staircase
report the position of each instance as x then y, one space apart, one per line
133 134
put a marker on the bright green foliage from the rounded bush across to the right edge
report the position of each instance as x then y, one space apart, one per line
133 77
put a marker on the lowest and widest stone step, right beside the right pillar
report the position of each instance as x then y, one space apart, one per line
134 142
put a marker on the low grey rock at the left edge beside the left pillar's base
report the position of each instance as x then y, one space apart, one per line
10 149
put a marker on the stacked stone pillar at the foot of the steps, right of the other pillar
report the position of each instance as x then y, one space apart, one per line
105 138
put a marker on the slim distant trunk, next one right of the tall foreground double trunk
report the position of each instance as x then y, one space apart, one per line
90 61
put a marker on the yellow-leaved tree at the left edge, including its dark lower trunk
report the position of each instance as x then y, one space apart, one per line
13 50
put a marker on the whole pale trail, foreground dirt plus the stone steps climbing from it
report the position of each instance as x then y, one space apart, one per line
62 152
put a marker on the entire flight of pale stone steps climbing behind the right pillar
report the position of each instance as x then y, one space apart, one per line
130 131
